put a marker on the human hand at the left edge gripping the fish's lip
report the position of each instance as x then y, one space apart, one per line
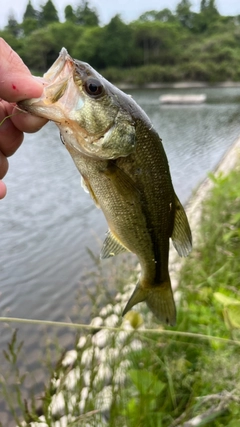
16 84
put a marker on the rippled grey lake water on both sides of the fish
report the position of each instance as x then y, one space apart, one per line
49 225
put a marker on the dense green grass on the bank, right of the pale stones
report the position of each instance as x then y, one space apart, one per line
196 376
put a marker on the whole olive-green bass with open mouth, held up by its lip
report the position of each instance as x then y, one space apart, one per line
124 167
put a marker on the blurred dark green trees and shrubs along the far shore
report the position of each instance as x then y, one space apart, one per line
160 46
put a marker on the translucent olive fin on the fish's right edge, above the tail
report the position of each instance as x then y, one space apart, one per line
181 235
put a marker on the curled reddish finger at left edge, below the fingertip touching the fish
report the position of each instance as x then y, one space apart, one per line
10 137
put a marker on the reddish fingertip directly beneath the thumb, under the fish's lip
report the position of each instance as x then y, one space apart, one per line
27 122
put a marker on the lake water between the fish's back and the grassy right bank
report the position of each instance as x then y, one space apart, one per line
194 136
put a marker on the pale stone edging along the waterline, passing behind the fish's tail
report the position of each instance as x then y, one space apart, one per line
65 380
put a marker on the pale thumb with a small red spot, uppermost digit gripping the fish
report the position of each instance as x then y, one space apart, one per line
16 81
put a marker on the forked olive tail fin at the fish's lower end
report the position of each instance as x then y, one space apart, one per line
158 298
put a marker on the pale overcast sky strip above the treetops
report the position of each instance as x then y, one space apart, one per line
128 9
